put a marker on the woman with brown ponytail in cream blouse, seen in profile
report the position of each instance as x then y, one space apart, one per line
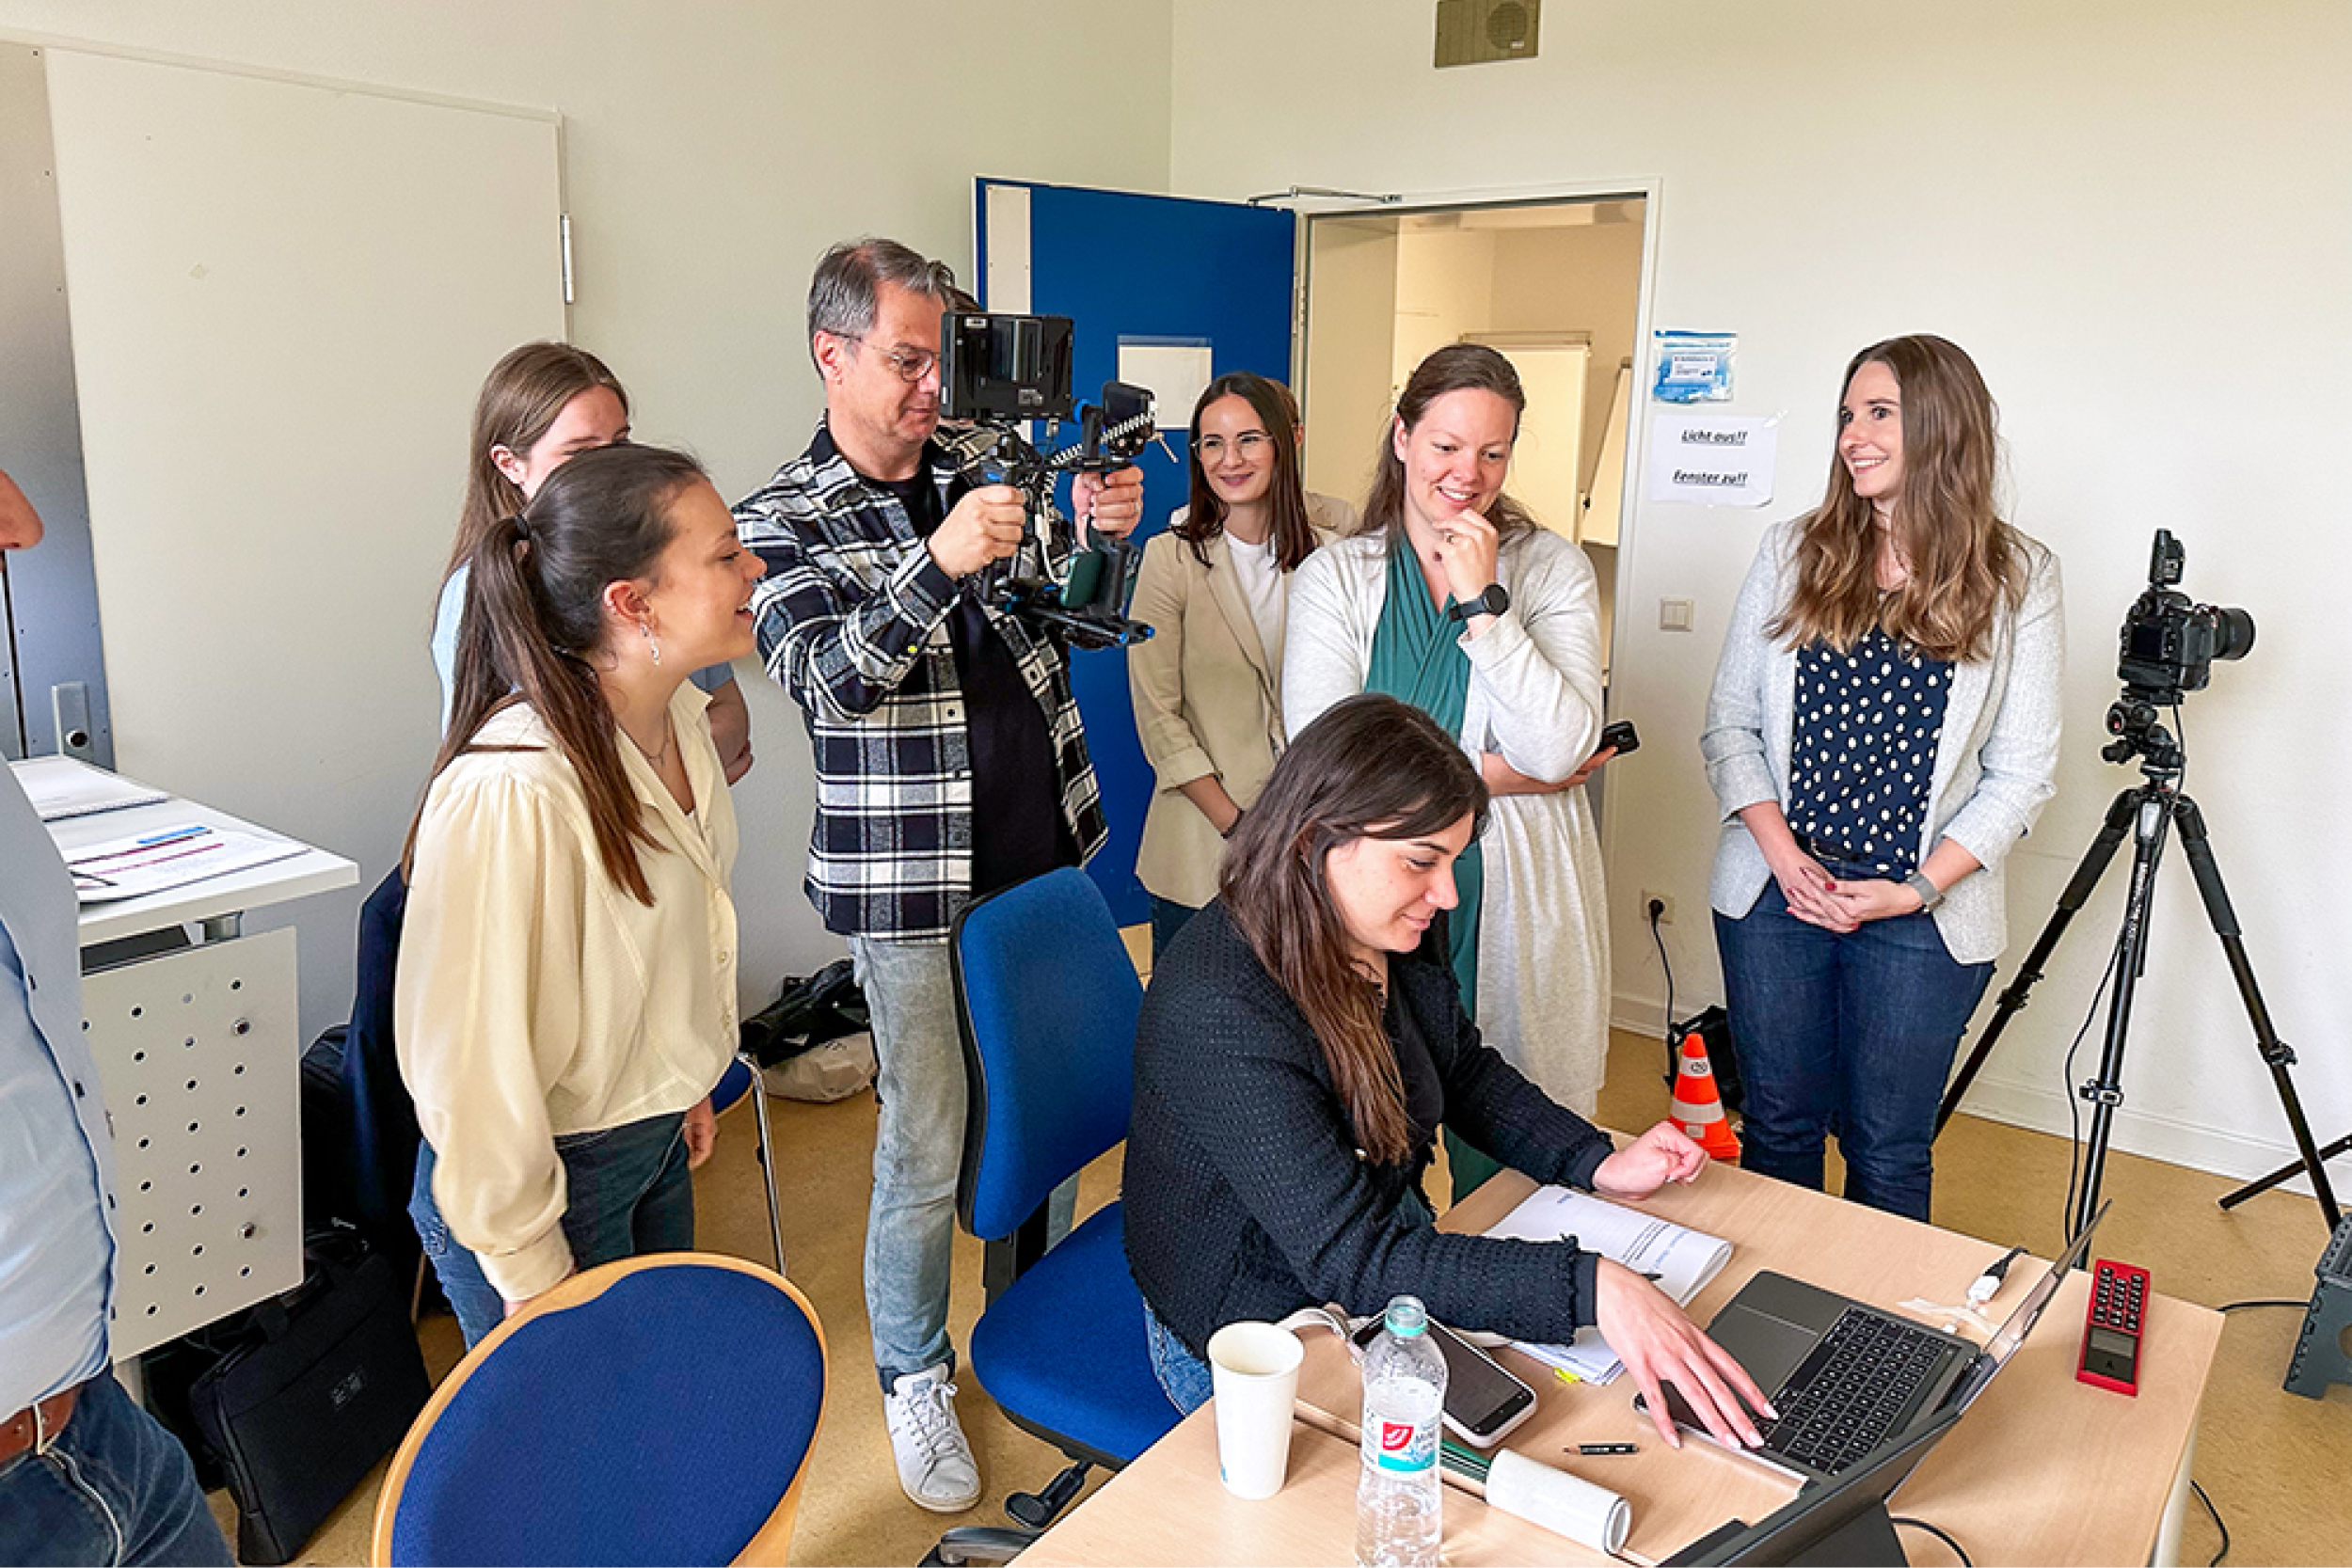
568 974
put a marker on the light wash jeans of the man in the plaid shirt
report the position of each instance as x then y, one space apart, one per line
918 1153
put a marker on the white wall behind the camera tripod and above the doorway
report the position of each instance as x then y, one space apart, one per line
2134 217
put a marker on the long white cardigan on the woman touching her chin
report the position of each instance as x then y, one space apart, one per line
1537 699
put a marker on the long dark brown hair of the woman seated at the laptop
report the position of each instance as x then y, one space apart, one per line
1368 770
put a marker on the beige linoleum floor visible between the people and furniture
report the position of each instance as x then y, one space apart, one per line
2278 1466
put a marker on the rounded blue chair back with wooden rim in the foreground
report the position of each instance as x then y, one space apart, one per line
650 1412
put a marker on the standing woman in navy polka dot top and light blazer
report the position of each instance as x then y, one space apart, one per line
1883 730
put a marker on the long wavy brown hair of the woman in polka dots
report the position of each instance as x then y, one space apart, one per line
1965 563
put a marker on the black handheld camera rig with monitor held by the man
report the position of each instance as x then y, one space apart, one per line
1001 373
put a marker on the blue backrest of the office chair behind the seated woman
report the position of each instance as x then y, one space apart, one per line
1050 1036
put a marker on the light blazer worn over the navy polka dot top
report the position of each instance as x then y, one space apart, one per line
1993 763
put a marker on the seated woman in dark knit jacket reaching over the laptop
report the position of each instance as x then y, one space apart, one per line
1295 1057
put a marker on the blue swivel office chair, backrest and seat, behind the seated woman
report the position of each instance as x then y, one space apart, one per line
1048 1000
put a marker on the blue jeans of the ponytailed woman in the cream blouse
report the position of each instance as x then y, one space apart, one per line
627 1193
